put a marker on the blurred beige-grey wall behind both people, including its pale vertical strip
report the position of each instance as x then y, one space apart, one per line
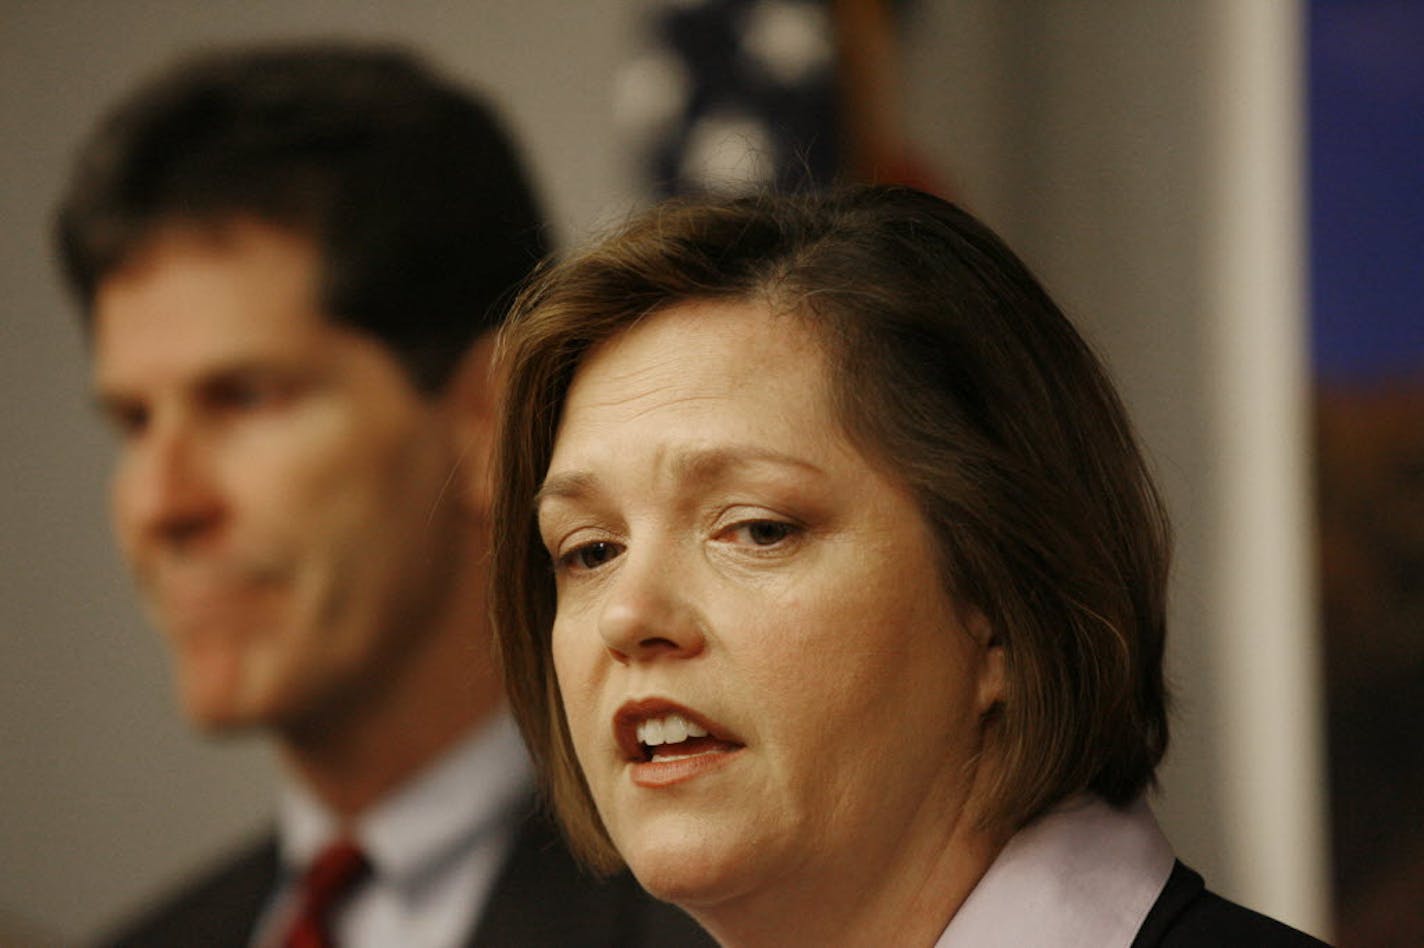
1144 159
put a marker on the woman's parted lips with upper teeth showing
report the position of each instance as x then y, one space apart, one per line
669 742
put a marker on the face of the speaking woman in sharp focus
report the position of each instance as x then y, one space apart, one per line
765 681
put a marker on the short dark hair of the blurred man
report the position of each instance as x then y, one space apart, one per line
408 186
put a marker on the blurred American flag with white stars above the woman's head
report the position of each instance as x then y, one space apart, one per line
748 95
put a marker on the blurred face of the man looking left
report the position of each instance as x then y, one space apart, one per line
281 489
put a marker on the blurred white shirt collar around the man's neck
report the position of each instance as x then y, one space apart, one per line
434 816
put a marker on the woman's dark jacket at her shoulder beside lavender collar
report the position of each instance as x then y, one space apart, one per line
1187 916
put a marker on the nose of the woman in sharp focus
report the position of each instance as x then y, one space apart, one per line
650 613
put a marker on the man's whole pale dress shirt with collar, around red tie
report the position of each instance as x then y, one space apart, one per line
435 848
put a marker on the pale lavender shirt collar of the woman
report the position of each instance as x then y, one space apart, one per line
1083 875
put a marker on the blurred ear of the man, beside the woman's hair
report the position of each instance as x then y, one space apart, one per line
472 402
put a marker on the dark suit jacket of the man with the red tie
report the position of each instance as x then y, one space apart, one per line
542 899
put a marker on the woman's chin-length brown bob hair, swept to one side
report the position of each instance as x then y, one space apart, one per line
952 369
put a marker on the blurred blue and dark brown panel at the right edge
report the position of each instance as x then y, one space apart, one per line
1366 142
